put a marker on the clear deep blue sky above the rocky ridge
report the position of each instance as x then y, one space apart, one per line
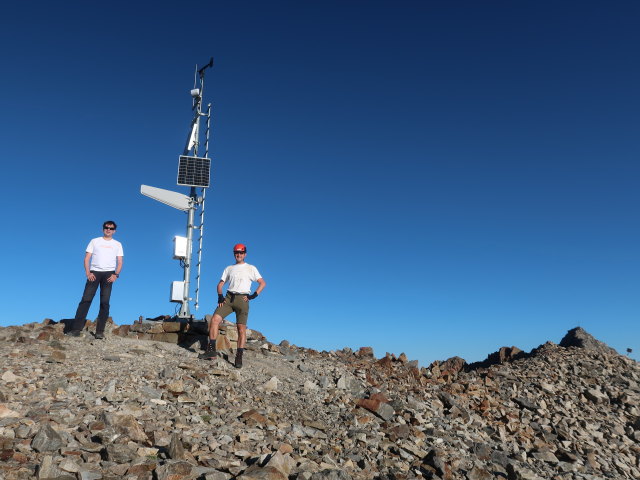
435 178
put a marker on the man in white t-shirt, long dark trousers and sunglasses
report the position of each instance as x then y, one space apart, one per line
102 265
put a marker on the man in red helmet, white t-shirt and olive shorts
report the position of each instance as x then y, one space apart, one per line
239 277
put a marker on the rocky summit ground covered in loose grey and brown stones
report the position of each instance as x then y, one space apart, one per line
141 405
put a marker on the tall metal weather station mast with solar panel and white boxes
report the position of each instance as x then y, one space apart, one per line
194 172
